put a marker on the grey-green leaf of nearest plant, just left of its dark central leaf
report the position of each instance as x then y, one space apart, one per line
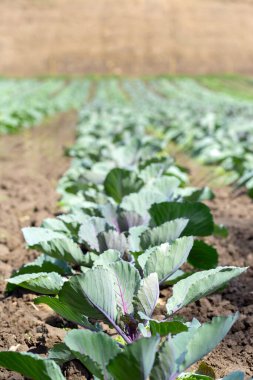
94 350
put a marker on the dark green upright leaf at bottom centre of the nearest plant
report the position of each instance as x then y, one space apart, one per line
136 361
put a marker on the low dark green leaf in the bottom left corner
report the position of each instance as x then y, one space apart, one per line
30 365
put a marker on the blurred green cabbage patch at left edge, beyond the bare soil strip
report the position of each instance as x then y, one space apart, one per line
26 103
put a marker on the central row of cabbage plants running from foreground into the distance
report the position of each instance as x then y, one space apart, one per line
132 223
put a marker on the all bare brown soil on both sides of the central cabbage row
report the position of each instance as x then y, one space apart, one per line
31 164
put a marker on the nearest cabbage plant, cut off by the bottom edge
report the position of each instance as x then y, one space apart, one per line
153 358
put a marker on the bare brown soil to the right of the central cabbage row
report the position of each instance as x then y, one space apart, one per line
236 352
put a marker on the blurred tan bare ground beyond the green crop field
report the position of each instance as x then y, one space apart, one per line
40 37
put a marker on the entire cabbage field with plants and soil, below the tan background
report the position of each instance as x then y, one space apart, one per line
126 242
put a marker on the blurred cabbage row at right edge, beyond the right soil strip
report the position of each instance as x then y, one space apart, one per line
214 127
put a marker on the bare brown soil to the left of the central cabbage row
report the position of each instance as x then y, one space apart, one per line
30 166
